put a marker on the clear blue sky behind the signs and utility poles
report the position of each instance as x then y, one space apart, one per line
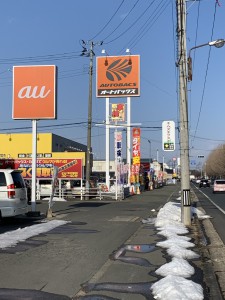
50 32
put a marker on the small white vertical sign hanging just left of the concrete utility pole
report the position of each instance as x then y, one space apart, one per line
168 135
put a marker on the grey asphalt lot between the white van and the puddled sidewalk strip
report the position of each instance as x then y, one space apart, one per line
61 260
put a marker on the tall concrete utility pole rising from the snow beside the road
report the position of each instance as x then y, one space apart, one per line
183 103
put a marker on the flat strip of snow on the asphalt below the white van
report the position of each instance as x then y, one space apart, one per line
11 238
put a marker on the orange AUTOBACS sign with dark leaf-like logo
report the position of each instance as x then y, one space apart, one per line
118 76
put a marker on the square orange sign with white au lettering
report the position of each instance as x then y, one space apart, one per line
34 92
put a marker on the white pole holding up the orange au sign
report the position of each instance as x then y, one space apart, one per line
34 164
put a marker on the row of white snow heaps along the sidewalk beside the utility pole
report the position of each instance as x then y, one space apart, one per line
174 284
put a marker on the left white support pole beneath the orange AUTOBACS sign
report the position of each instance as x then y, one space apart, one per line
107 179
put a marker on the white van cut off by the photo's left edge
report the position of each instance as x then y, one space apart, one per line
13 193
